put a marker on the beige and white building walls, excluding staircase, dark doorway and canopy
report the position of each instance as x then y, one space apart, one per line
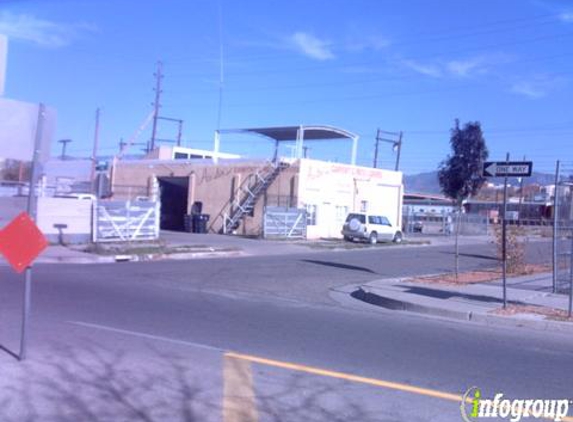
329 191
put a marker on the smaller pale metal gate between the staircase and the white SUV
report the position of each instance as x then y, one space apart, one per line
286 223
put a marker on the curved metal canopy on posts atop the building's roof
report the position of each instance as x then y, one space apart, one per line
298 134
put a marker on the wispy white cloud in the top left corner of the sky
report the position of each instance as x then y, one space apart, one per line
39 31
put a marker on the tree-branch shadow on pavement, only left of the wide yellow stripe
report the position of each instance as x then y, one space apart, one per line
97 385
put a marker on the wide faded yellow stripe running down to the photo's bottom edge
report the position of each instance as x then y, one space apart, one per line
238 393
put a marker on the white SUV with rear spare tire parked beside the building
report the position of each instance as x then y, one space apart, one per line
370 227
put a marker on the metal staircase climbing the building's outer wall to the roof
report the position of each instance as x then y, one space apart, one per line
246 197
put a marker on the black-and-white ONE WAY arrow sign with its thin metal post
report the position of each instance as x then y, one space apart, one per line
506 169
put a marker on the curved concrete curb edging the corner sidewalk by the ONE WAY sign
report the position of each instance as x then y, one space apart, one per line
536 322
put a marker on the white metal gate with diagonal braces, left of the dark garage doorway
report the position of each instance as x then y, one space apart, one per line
116 221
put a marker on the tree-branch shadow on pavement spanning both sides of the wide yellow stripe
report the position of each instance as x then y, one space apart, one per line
92 383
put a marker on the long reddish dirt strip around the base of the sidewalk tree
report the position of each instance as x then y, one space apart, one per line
472 277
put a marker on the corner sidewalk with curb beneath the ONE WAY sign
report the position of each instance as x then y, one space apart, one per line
478 302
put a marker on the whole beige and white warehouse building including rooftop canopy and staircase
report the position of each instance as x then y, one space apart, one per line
243 196
